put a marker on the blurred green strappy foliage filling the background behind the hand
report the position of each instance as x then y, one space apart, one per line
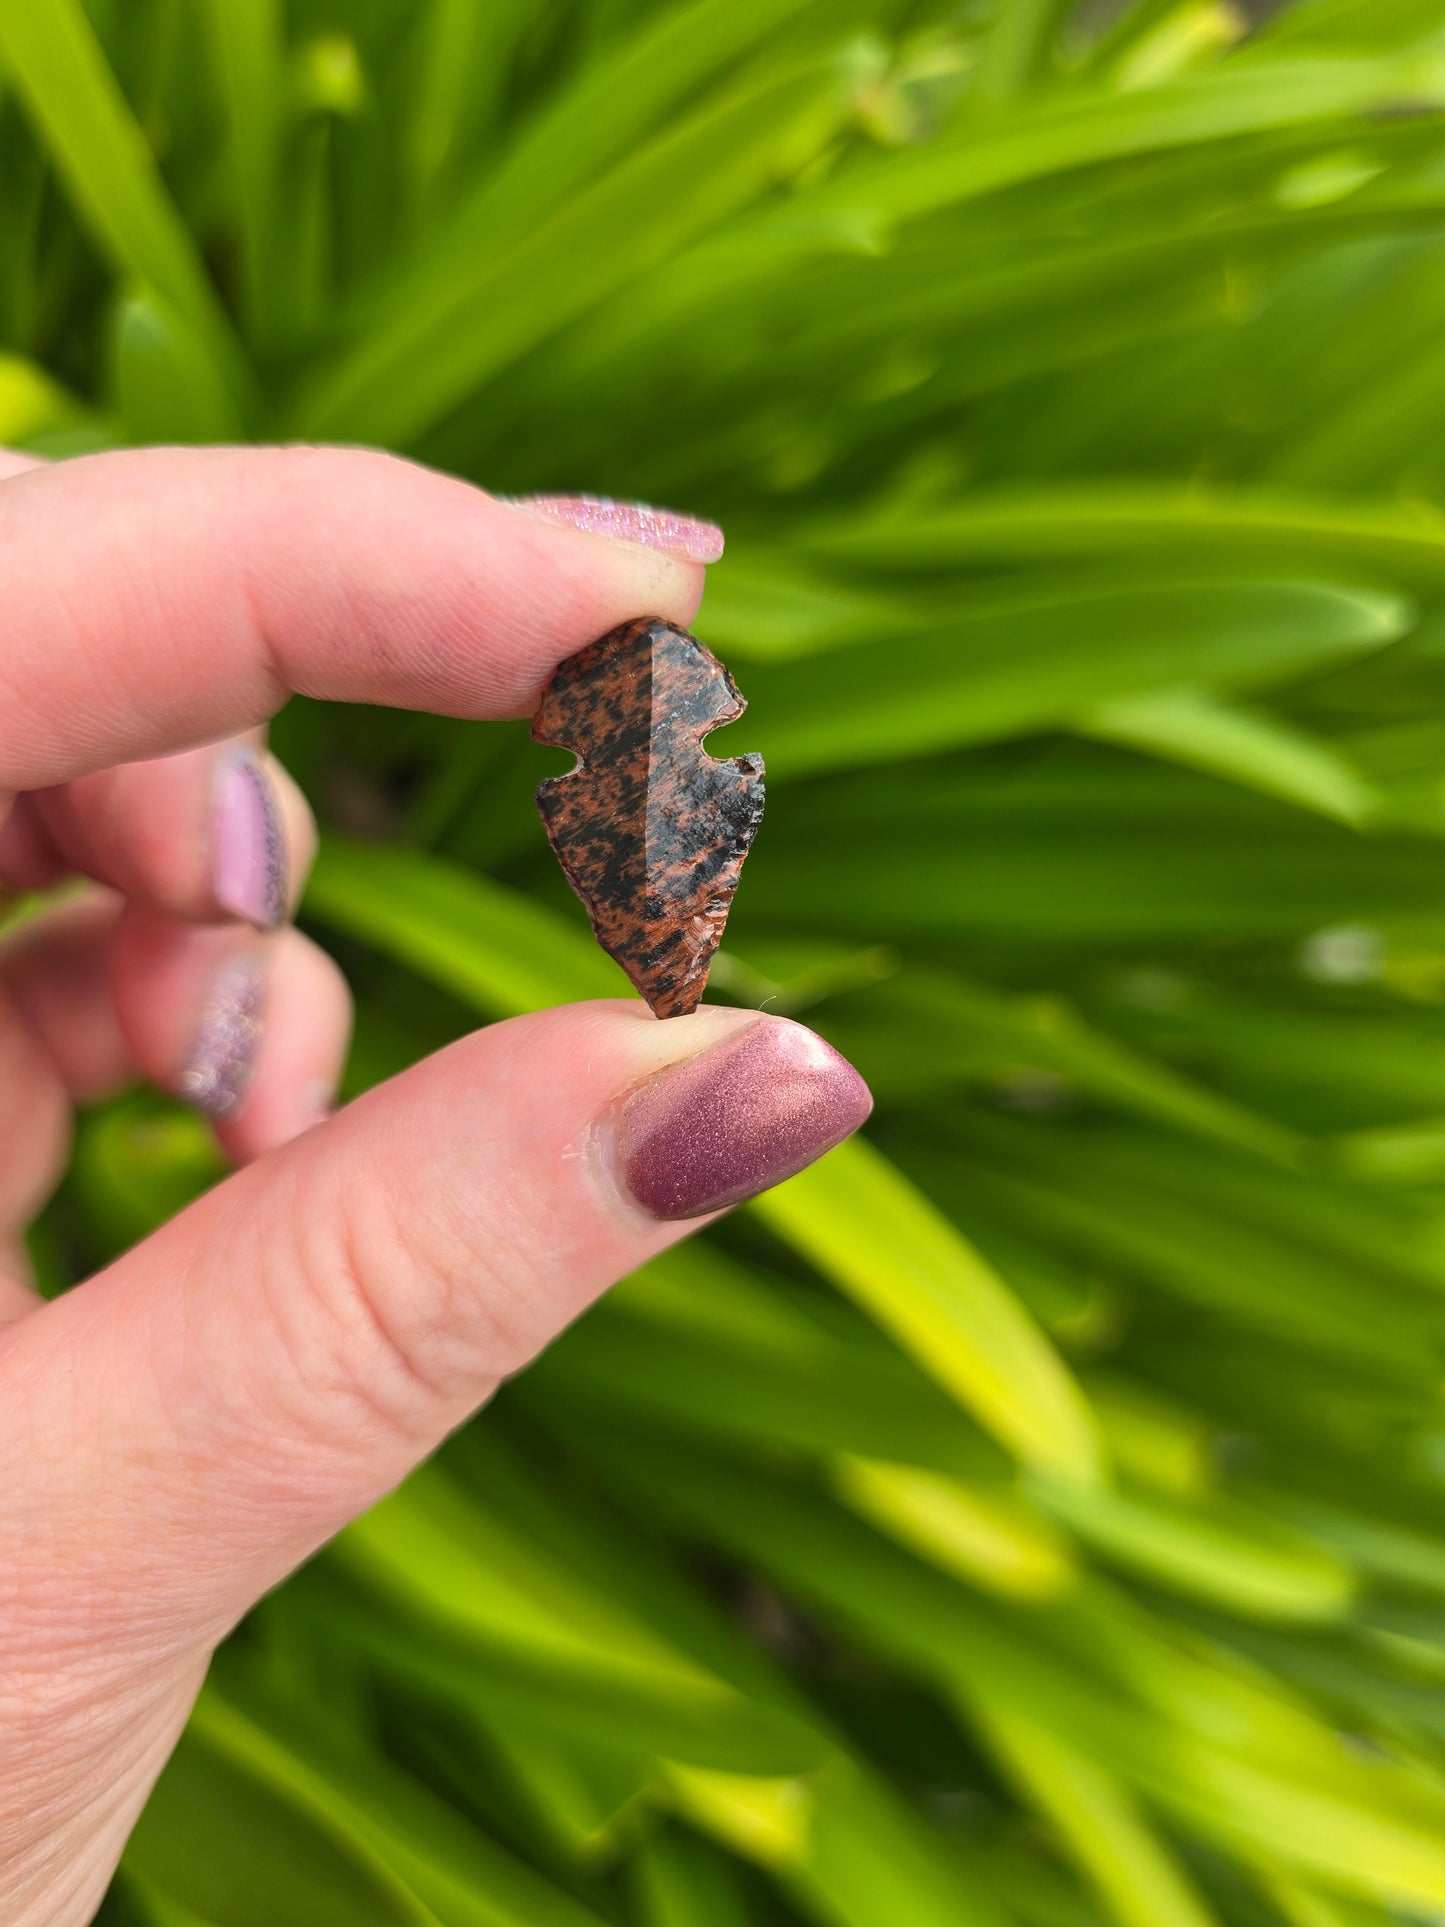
1030 1516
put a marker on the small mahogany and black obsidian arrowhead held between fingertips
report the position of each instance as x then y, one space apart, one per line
650 830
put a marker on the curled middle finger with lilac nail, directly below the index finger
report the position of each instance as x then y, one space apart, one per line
203 835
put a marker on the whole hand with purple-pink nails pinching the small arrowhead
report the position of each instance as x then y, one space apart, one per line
188 1427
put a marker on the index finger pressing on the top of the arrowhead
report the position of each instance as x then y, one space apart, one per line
163 598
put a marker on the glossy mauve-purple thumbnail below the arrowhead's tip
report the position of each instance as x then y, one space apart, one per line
735 1121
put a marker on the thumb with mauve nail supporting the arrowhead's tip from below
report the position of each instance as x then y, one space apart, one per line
201 1417
